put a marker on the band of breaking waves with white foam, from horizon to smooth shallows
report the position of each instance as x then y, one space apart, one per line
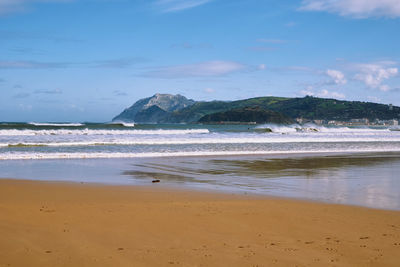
78 140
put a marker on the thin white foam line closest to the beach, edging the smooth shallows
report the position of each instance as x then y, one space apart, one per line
38 156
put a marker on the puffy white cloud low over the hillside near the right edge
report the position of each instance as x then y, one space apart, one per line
374 74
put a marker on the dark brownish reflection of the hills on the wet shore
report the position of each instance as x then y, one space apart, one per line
309 166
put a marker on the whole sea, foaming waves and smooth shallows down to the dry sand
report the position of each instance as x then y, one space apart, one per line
345 165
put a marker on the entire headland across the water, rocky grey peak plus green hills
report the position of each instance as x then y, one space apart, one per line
178 109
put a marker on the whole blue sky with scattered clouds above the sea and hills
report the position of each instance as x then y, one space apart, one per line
87 60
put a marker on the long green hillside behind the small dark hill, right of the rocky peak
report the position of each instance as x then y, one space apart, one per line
307 107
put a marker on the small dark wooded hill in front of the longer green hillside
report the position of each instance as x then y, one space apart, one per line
248 114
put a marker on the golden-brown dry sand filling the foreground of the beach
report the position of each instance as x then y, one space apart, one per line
54 224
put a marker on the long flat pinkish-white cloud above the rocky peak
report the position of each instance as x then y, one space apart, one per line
203 69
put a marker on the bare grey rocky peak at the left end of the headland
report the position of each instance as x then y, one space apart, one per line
153 109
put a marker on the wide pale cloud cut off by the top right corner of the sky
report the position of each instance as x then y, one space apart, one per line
355 8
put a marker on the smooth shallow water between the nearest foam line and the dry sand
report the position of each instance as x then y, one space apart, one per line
366 179
